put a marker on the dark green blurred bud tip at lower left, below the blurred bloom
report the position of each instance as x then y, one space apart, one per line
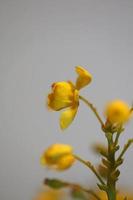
55 183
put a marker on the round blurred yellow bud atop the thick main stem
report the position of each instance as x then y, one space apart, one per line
117 112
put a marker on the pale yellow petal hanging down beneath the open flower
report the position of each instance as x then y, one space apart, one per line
68 116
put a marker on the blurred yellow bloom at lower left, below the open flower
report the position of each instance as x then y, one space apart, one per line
58 156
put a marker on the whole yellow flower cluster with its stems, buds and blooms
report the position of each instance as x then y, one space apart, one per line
66 96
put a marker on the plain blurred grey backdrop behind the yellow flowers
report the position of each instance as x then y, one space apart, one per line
41 41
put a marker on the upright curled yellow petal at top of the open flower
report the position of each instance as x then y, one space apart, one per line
84 77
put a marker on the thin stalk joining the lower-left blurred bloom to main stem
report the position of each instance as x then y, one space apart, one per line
91 167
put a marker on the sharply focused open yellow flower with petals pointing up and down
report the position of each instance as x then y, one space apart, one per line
65 95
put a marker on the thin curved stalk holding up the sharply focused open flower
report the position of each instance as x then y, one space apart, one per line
93 109
